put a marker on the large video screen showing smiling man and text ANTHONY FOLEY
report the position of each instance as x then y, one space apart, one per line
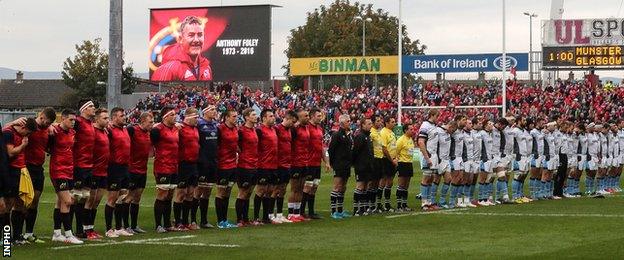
231 43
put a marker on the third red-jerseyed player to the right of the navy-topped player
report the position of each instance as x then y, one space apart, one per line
267 165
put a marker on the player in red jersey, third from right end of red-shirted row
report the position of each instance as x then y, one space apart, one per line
284 158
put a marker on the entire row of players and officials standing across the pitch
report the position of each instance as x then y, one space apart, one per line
94 153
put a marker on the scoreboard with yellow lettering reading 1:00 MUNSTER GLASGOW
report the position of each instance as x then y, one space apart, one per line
609 56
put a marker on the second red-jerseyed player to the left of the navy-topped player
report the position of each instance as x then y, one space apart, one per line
165 138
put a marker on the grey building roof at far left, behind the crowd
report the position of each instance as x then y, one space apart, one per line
30 93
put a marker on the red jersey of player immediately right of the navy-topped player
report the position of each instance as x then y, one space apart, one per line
227 147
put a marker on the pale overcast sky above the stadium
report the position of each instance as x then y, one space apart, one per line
40 35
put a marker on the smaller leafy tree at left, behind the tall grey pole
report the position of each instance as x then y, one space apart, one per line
88 67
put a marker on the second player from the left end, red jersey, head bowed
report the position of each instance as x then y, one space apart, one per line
35 157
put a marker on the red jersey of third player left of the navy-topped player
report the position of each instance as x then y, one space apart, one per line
140 146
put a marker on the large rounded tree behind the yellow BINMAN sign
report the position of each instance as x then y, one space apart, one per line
333 31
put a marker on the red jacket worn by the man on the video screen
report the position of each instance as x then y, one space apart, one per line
178 66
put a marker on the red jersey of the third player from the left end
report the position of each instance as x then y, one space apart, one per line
61 156
